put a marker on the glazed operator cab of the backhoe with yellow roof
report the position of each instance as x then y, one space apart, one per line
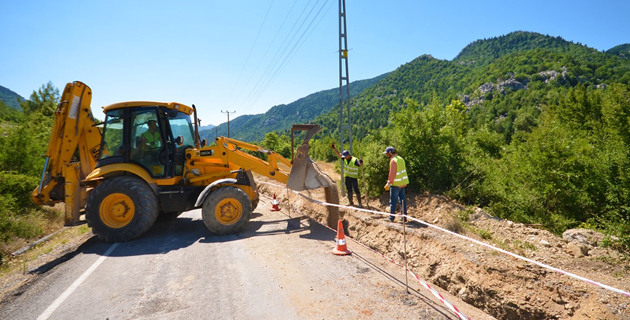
153 135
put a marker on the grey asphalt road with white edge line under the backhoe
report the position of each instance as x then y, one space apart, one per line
279 267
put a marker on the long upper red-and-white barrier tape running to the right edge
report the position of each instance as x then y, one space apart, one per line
560 271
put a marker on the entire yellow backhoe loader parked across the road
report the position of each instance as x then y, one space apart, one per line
146 160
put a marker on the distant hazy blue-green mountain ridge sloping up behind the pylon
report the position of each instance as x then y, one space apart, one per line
281 117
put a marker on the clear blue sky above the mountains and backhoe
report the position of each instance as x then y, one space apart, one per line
247 56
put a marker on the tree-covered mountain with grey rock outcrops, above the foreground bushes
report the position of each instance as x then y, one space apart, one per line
496 78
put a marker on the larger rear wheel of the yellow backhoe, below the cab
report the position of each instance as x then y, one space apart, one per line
121 209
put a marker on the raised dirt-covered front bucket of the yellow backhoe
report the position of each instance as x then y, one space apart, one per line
304 173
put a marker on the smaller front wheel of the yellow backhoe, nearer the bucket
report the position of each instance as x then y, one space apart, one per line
226 210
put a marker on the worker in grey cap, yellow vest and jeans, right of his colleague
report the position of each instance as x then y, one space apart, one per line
397 181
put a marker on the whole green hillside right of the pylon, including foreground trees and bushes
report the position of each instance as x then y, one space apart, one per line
530 127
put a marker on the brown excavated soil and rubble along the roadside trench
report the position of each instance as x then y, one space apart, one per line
501 285
